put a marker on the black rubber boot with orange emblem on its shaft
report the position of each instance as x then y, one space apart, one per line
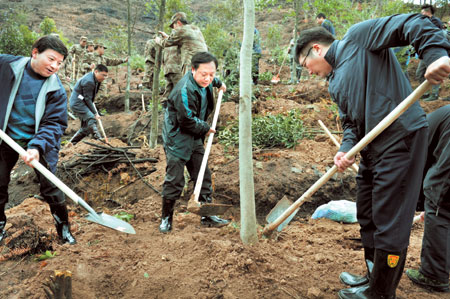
384 279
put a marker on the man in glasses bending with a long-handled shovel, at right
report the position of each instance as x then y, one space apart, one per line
367 83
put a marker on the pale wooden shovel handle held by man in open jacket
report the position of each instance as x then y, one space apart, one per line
49 175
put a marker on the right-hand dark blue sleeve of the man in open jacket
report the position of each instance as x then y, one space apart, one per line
53 123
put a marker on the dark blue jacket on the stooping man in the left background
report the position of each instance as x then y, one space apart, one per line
87 87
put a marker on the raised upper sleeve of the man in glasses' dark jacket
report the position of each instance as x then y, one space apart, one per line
401 30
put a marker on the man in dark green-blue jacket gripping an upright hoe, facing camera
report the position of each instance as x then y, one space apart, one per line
184 130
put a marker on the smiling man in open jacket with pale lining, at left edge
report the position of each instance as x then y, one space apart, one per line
33 112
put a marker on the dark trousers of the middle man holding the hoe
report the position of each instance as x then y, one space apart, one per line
174 180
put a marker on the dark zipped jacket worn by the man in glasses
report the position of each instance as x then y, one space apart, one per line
367 81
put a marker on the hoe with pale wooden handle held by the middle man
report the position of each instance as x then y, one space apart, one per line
194 206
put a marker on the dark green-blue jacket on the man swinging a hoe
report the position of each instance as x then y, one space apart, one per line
182 122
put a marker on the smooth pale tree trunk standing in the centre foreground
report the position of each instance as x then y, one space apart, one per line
248 214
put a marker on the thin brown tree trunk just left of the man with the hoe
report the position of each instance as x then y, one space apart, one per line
155 86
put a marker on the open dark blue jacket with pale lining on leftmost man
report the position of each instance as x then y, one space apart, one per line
51 107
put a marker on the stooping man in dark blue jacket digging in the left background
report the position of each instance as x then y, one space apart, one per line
82 102
